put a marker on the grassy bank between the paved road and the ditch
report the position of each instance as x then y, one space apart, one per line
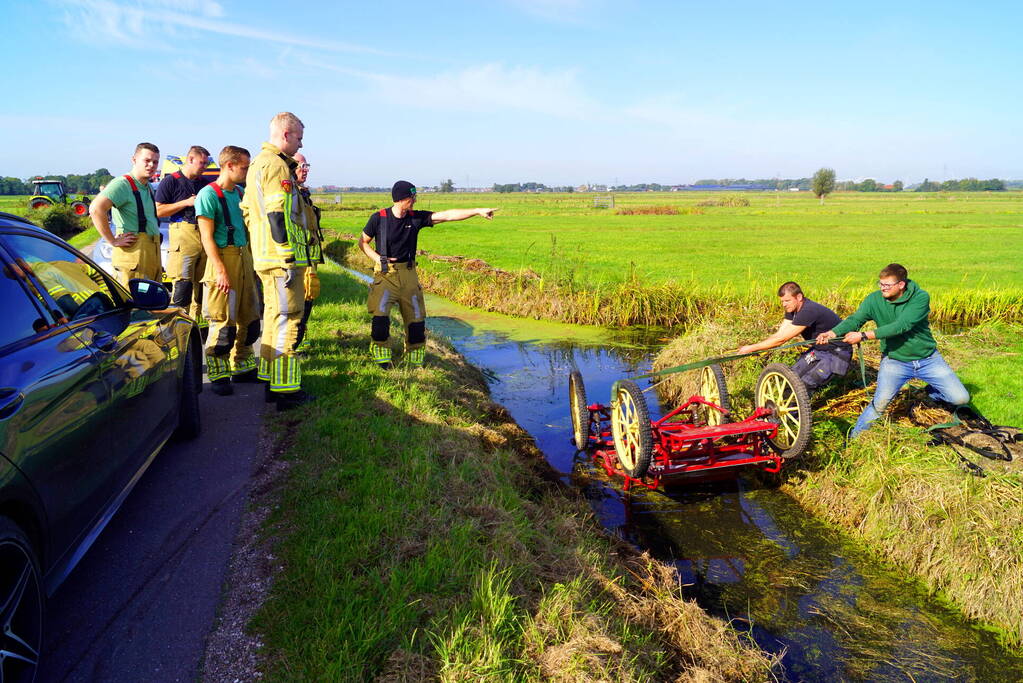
423 540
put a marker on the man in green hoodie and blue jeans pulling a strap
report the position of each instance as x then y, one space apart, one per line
900 309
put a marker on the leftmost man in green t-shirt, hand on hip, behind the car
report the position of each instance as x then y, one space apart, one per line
137 243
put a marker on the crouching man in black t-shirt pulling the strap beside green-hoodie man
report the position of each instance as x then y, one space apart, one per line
818 367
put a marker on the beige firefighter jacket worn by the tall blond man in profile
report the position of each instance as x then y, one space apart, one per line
275 212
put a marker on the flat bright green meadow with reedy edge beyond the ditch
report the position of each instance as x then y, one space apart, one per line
570 262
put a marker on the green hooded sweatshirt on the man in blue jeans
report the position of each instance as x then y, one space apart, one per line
903 328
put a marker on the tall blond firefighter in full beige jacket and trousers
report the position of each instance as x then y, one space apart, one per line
276 215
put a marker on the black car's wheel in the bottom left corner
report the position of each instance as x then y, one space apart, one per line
19 563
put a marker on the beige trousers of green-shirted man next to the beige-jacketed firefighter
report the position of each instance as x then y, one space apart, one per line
234 316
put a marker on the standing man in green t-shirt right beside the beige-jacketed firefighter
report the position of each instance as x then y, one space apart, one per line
230 300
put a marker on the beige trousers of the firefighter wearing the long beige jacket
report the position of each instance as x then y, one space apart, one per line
283 308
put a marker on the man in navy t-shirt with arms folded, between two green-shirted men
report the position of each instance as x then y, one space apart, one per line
187 261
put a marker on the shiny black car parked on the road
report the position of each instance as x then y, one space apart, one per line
95 380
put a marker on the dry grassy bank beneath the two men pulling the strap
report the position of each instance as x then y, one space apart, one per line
913 505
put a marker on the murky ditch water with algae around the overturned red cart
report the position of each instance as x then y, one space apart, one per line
750 555
